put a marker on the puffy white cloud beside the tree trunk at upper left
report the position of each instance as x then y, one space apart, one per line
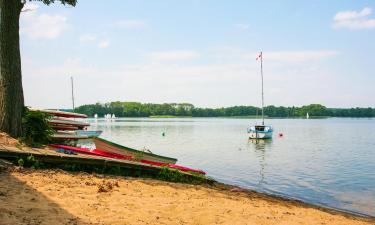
41 26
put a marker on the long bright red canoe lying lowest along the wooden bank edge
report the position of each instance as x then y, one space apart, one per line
98 152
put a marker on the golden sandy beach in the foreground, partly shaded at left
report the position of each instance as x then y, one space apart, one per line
57 197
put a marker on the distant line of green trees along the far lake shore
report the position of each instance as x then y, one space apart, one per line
136 109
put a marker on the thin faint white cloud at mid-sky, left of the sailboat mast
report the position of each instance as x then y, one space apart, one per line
172 55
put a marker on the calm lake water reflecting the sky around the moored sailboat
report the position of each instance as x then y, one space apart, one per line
329 162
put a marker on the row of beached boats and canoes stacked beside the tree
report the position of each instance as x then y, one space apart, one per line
70 128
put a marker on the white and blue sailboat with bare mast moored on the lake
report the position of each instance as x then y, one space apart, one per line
260 131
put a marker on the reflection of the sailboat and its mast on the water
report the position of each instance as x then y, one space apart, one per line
260 147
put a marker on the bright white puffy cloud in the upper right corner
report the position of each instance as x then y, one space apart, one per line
354 20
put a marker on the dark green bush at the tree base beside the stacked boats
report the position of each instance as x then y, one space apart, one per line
36 130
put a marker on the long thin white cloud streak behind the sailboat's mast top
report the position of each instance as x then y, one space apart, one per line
295 56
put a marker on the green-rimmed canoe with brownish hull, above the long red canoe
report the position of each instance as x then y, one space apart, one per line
108 146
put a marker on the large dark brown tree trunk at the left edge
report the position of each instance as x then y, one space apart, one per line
11 92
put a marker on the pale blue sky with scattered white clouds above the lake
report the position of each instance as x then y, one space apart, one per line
199 51
